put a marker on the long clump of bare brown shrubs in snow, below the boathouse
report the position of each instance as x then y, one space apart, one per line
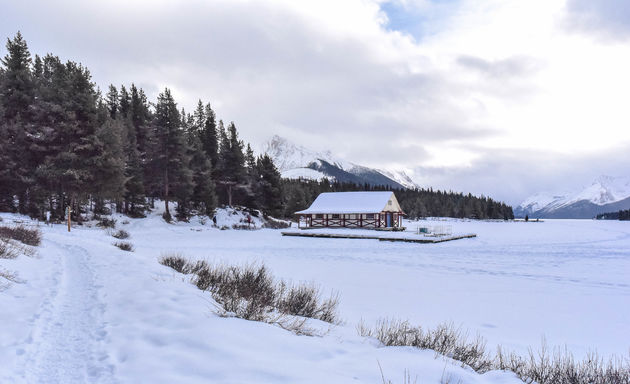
250 292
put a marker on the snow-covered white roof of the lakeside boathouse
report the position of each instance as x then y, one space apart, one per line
353 202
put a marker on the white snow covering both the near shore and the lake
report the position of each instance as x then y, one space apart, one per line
89 312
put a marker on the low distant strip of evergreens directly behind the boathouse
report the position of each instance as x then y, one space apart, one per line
416 203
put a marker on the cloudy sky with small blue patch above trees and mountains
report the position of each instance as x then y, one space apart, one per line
501 97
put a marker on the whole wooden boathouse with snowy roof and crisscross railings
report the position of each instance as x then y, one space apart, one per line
377 210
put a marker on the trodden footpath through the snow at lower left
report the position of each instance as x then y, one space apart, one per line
65 341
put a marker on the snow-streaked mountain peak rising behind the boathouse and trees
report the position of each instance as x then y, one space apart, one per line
295 161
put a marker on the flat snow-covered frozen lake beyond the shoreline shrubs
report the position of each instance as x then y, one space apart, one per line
566 280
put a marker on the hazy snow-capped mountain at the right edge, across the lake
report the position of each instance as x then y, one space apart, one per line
605 194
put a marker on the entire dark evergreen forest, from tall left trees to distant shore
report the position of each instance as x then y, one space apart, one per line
63 143
